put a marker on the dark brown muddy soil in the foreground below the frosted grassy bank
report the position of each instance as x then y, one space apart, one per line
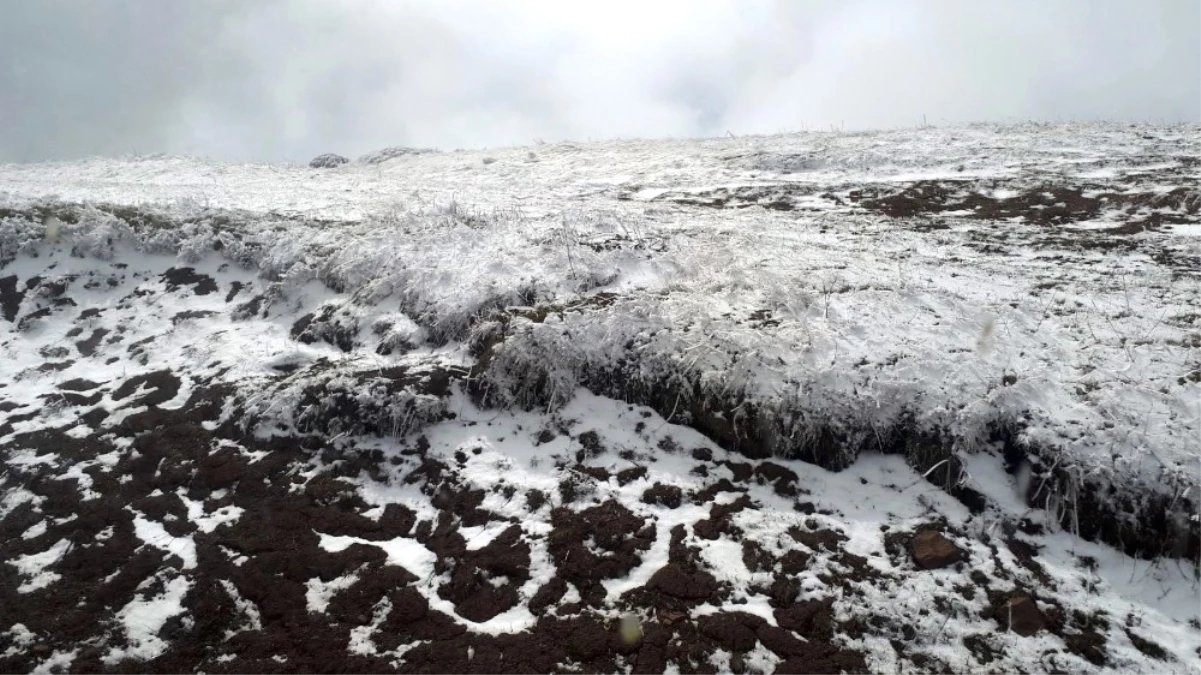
246 610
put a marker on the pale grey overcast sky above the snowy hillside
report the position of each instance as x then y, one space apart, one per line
288 80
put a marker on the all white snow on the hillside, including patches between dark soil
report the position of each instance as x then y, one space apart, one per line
827 313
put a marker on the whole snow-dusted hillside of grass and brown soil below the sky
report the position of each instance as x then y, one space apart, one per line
678 407
